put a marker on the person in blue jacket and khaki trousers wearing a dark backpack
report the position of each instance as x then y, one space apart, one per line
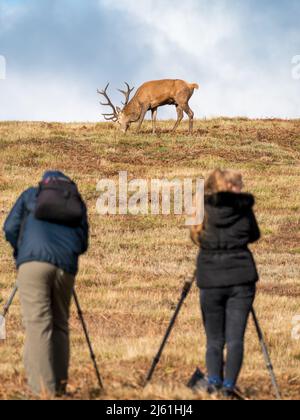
48 231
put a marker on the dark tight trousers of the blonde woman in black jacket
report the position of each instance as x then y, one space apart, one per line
225 315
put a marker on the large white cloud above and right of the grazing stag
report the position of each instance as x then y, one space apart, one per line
203 41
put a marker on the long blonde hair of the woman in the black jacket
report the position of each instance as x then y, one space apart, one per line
218 181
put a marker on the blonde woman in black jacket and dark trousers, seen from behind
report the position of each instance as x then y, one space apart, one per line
226 274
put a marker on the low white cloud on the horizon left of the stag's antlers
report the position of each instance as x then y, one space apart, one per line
46 99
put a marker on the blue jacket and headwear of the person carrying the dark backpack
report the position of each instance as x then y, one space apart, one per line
36 240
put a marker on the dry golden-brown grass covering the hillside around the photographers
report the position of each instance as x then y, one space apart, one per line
132 275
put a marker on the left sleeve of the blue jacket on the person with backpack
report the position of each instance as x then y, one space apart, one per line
13 223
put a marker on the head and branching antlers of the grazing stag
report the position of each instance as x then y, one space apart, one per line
117 115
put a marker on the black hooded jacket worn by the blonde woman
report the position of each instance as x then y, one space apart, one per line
230 226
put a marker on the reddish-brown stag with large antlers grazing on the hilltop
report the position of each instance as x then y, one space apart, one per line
151 96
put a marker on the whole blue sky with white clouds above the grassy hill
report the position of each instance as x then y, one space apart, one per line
58 52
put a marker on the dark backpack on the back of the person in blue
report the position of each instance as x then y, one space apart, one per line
59 202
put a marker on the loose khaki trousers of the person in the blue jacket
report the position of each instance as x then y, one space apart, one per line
45 294
